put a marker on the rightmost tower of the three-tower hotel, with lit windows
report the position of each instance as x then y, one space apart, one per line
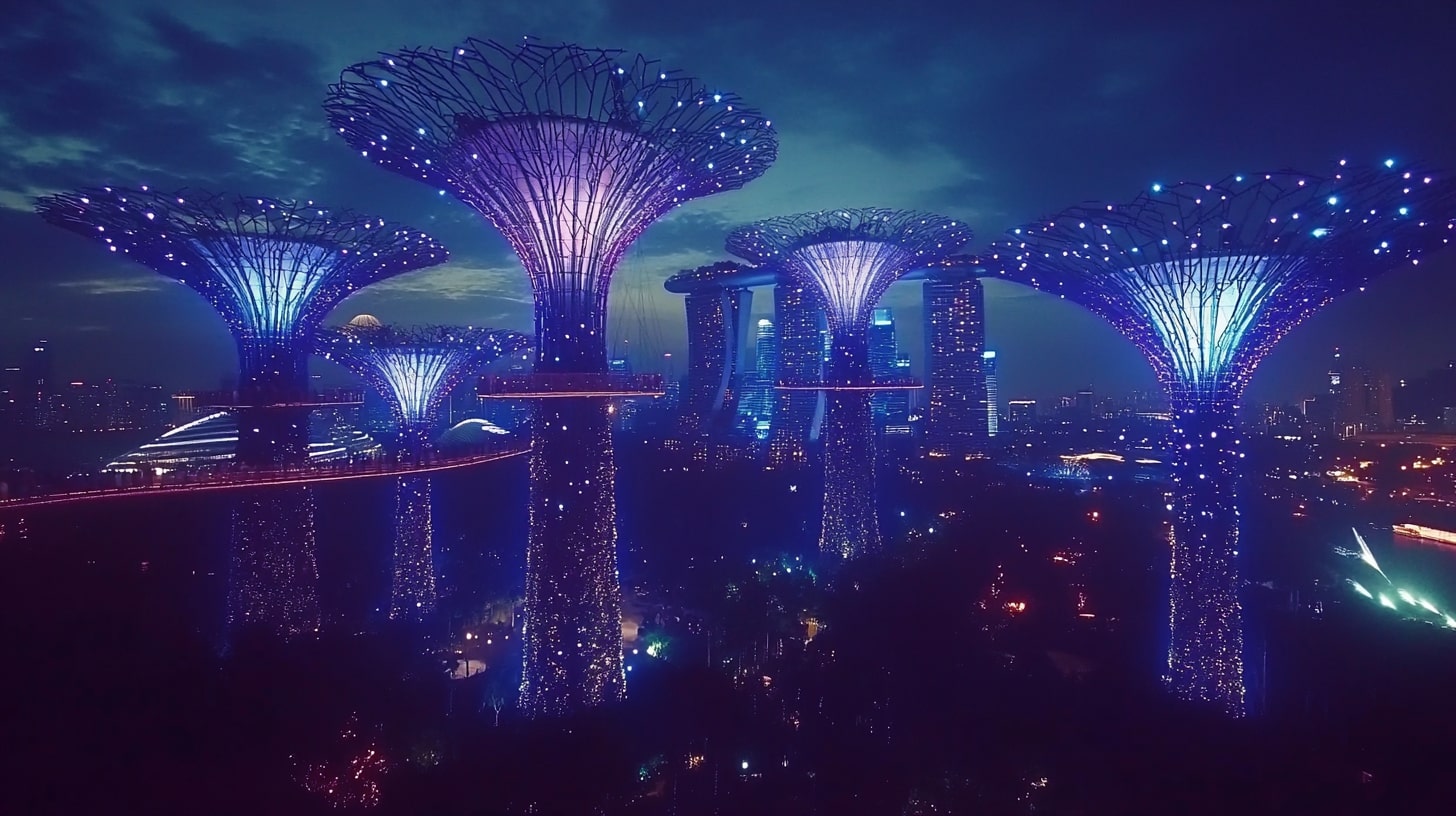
956 342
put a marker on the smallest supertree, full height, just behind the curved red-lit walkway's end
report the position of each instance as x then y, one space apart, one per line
416 369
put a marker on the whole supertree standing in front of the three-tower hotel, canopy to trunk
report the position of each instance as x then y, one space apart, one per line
850 259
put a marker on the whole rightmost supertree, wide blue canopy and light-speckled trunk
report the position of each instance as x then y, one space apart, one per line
1206 279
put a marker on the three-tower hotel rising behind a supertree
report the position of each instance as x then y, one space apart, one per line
720 329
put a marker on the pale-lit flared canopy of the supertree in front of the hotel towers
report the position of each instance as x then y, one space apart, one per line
850 257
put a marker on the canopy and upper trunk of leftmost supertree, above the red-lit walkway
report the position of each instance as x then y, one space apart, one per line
272 269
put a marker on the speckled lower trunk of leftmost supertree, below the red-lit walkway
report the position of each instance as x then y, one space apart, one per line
273 585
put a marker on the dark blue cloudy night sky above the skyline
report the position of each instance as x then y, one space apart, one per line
992 113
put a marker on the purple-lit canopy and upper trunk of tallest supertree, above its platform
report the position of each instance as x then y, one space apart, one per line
570 152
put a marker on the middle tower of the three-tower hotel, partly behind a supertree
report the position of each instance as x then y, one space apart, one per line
797 415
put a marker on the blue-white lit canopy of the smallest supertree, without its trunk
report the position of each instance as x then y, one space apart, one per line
417 368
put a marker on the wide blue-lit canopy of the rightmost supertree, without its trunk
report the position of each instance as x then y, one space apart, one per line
1208 278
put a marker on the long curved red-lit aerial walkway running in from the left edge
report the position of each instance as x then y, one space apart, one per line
210 482
